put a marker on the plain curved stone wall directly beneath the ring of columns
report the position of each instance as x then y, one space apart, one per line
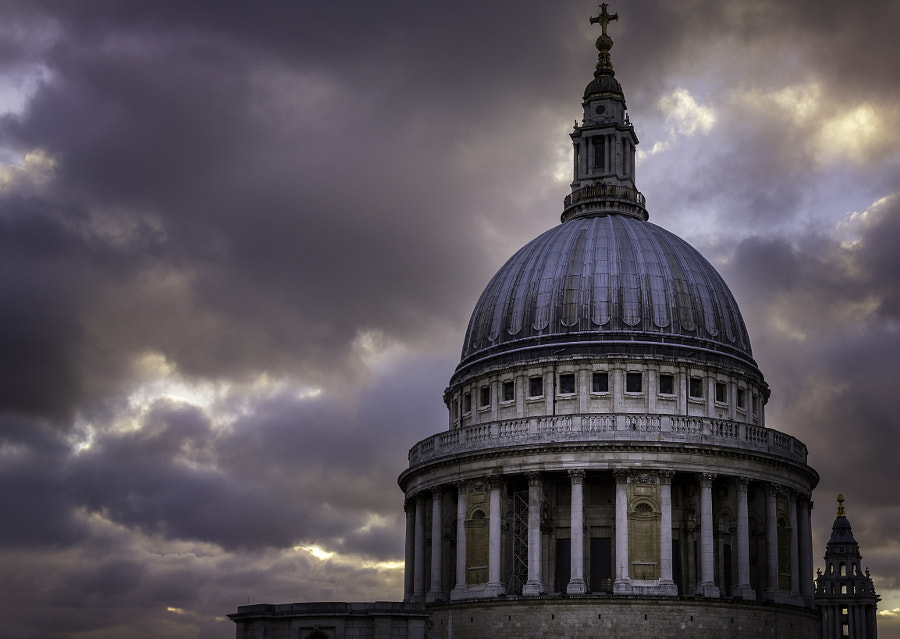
626 618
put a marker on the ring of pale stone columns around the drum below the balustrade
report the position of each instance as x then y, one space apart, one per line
799 563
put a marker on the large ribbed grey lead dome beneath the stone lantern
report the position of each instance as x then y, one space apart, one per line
609 282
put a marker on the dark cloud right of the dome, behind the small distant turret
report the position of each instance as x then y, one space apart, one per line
827 328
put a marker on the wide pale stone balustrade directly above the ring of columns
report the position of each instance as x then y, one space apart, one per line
611 428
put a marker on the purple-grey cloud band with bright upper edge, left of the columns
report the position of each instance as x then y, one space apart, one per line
177 476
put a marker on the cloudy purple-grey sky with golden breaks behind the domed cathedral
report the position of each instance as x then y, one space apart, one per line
240 242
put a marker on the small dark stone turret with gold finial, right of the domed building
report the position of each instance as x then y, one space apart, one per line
844 594
